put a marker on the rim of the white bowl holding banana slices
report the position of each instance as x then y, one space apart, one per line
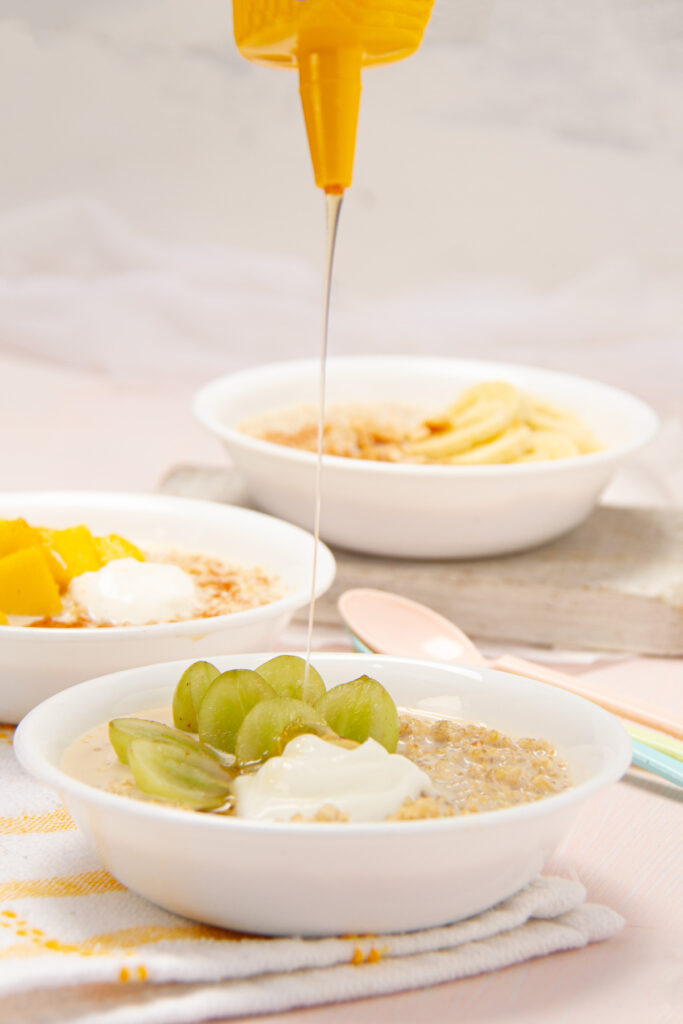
606 456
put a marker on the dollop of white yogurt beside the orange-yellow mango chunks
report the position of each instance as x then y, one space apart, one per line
127 592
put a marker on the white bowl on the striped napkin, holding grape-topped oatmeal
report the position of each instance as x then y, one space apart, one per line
331 879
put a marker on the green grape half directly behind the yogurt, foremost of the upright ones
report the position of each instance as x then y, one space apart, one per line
271 724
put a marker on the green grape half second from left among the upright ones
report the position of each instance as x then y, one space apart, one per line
231 697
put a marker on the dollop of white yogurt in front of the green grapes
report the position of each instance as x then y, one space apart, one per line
367 784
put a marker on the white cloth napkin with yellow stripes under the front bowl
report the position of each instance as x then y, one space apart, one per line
66 923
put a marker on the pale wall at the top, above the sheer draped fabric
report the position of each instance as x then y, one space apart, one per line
529 138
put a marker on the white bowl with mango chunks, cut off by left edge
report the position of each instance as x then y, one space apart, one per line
36 663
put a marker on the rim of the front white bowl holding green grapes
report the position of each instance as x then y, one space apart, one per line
41 767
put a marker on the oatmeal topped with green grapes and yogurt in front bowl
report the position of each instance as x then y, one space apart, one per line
275 744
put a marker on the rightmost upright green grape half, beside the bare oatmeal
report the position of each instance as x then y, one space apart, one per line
361 710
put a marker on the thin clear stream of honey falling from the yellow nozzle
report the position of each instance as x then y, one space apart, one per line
334 203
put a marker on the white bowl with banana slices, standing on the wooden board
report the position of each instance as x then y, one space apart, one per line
423 511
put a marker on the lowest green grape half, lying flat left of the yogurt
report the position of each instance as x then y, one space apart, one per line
181 777
